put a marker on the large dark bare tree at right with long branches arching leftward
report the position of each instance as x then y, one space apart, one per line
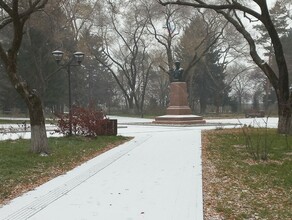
256 10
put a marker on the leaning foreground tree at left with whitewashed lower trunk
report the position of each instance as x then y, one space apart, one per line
15 14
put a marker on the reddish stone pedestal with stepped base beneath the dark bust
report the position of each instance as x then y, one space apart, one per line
179 111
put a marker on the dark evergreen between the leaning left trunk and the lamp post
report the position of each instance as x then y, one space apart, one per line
38 67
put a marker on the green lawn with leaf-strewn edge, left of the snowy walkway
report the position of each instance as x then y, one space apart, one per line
21 170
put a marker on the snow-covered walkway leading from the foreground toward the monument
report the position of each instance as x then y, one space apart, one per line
155 176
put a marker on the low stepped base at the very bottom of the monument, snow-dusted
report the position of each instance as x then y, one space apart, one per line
179 119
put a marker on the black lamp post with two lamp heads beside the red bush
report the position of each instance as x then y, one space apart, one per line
76 60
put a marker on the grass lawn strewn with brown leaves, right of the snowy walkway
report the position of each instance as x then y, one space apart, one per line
236 186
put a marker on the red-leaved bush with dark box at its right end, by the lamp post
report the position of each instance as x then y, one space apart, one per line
86 122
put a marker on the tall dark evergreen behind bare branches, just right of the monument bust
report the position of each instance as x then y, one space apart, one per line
203 71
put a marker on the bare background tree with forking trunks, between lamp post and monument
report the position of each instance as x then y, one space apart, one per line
129 61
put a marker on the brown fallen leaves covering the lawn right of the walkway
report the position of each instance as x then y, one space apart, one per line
235 193
